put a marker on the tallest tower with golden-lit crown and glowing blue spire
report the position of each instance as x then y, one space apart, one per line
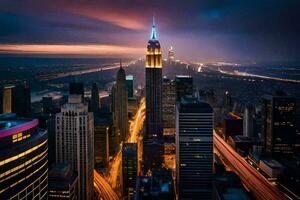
153 87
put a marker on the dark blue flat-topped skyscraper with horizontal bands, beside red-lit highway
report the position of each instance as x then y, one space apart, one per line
194 149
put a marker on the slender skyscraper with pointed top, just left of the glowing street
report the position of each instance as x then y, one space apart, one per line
121 104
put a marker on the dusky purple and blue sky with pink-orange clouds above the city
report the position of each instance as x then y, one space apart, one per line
198 30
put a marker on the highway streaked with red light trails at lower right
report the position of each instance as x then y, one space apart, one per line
259 186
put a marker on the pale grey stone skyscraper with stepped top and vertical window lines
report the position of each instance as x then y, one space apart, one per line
75 142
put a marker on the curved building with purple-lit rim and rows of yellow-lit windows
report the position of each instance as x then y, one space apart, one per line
23 159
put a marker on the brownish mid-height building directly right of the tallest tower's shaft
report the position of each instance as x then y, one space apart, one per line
168 106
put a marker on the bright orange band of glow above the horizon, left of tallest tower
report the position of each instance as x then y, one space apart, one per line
48 49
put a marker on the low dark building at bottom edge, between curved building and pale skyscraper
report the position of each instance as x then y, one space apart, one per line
63 182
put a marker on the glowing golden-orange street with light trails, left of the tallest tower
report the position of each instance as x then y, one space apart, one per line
105 184
